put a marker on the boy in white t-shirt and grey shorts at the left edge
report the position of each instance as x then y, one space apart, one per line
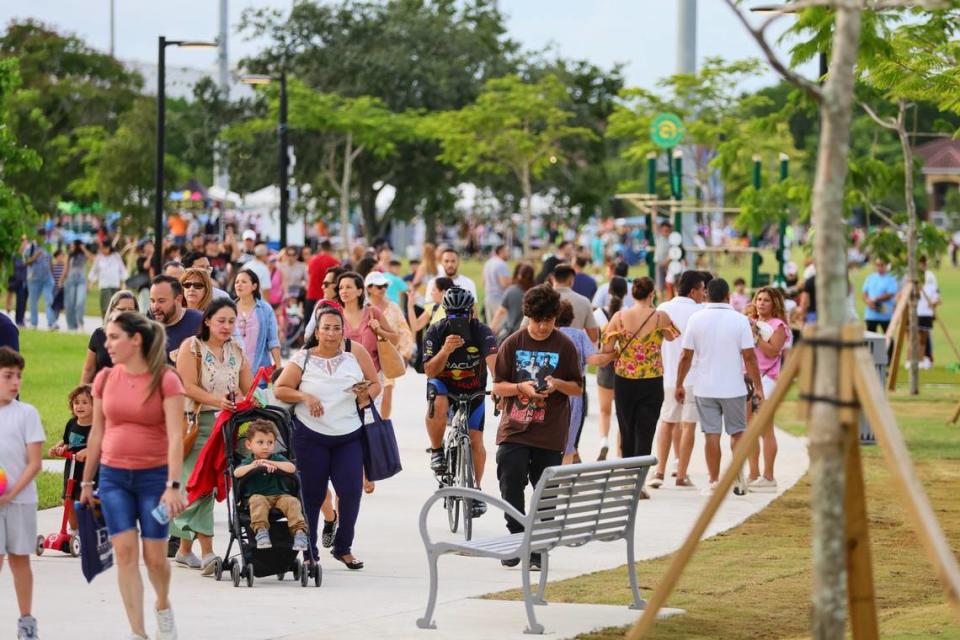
21 436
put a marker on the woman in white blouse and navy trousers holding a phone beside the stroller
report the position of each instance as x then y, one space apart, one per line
326 381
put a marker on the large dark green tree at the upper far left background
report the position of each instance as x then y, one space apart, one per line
67 85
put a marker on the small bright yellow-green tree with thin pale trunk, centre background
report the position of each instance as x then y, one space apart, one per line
513 126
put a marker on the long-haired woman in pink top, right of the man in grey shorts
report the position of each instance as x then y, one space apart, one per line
772 335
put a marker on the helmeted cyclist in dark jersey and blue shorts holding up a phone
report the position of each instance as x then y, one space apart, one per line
457 353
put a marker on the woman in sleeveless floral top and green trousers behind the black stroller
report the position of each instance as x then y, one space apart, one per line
214 372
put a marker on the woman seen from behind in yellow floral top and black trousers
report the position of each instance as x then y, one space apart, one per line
635 336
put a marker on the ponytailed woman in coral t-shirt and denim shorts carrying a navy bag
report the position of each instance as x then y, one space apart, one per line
137 441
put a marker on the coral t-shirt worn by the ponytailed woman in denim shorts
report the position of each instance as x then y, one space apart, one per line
135 433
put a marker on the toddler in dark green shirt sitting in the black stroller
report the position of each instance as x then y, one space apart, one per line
266 490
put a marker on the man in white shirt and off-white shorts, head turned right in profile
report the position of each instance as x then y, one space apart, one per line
673 414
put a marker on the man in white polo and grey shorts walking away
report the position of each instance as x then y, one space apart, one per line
721 339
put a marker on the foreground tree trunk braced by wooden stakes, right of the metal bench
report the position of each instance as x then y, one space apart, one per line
827 456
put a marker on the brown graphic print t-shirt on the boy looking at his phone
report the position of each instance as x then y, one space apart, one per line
540 423
